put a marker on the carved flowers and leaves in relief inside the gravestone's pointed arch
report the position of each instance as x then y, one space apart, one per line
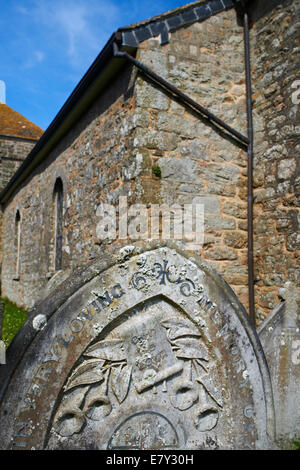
151 353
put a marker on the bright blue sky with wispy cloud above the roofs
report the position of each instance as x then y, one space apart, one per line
48 45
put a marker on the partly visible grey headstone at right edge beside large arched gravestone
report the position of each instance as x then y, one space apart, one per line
280 337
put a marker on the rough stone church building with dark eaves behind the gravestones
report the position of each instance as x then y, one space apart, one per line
123 134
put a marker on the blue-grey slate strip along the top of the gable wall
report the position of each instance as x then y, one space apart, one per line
167 22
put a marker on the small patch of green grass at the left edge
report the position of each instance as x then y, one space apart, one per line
14 318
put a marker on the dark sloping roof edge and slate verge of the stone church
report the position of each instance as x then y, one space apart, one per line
129 38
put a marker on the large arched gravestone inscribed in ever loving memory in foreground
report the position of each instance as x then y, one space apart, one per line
145 349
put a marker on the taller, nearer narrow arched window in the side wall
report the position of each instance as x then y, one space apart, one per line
58 223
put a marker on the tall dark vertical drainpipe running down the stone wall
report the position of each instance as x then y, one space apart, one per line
250 166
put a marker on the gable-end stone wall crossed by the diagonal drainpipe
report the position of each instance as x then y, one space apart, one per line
198 163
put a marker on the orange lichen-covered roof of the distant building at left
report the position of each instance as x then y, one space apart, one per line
13 124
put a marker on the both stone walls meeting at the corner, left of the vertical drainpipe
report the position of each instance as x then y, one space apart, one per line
98 161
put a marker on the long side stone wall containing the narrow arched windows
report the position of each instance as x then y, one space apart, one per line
90 162
